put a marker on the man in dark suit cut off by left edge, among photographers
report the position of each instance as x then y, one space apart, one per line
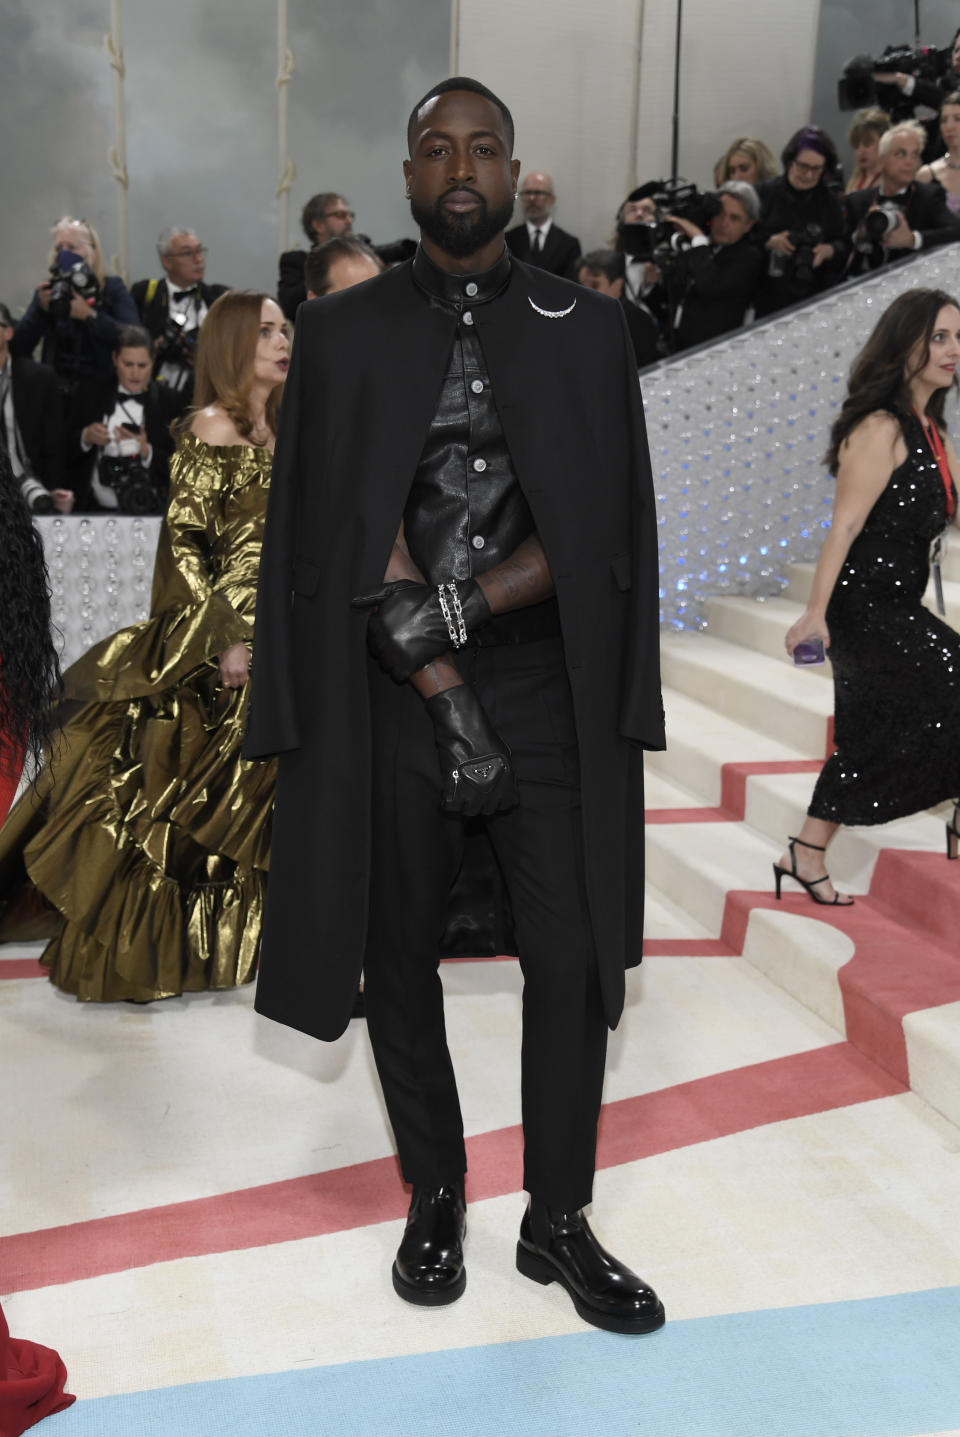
32 426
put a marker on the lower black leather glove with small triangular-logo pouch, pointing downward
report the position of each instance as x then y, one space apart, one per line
476 771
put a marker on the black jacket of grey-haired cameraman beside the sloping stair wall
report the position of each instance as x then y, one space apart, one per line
718 285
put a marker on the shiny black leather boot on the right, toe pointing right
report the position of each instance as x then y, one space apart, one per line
561 1248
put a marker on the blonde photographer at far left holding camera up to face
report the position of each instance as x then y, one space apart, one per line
75 313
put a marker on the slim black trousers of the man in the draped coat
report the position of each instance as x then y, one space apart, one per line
538 846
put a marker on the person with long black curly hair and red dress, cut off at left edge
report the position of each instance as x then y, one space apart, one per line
32 1377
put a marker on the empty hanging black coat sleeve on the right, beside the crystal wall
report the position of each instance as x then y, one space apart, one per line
642 709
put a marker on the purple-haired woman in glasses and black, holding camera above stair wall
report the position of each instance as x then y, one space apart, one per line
801 223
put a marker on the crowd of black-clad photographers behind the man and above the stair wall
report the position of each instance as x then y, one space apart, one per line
93 377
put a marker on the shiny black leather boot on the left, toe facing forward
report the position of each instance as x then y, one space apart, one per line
429 1267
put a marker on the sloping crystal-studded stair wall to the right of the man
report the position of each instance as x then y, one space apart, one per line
737 439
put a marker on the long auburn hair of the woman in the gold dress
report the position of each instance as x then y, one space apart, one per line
226 356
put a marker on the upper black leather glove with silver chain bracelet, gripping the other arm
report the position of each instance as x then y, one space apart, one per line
407 629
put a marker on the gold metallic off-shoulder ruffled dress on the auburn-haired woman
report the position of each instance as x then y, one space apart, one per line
149 836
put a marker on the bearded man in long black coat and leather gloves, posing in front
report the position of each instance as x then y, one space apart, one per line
458 646
